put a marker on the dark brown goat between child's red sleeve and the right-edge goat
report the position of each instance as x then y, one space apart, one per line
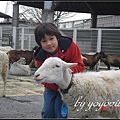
92 59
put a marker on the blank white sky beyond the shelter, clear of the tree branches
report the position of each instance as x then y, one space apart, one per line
9 11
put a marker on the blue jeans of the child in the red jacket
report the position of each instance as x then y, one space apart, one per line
52 104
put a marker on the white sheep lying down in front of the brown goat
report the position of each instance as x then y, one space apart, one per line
19 68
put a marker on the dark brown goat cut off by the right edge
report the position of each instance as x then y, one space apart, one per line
111 60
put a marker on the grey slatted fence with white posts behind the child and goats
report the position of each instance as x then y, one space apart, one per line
90 40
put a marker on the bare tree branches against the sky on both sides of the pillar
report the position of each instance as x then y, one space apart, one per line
35 14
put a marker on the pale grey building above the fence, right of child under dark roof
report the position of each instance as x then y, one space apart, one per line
106 21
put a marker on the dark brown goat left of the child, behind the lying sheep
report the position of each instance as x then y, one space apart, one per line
15 55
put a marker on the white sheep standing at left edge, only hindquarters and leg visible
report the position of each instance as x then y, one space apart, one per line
4 66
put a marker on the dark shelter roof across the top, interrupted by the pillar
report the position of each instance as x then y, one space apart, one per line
95 7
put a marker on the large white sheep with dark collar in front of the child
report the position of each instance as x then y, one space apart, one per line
89 91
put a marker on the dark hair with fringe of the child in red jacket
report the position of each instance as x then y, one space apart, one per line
46 28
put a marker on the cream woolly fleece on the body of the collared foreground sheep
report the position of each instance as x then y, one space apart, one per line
92 88
